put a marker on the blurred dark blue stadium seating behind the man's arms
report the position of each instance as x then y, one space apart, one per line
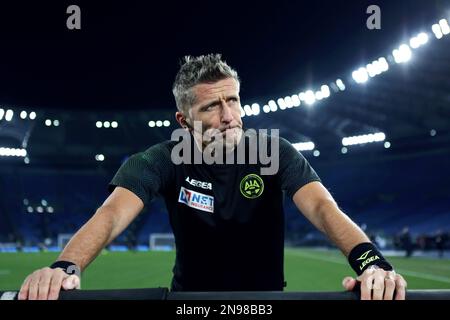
383 197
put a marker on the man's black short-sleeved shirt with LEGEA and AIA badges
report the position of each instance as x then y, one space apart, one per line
227 219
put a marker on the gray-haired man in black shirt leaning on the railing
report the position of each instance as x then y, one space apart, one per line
227 219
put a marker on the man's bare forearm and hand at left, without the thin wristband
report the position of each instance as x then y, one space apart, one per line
115 214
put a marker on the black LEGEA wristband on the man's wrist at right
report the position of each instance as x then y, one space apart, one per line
366 254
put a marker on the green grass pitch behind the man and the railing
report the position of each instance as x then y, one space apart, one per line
305 270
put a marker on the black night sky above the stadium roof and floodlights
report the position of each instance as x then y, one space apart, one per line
126 54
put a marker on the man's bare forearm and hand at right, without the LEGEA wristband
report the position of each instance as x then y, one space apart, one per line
319 207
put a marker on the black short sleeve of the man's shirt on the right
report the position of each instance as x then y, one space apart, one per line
295 171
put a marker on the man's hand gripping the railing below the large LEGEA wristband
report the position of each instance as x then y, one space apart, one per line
378 284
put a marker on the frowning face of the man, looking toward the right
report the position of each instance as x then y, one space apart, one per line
217 106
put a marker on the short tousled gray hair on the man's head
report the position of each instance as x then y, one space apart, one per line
195 70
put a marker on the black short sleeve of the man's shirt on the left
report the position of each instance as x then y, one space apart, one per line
146 174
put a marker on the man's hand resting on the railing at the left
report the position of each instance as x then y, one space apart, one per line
46 283
